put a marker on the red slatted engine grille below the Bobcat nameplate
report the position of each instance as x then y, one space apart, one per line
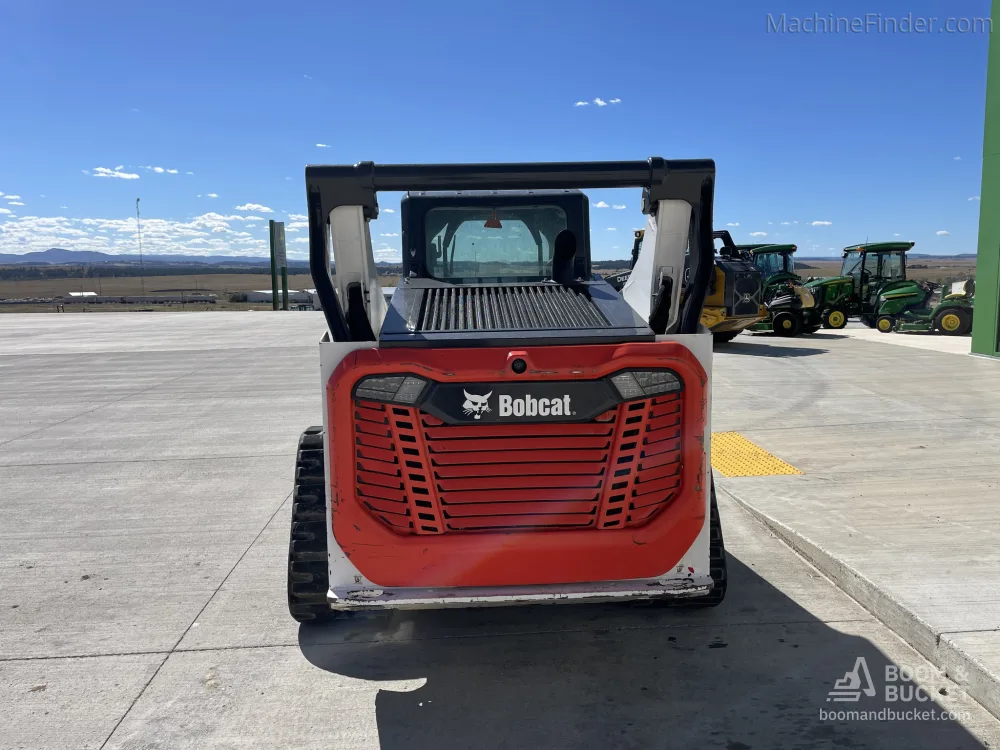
421 476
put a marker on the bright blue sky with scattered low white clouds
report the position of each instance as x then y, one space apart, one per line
872 135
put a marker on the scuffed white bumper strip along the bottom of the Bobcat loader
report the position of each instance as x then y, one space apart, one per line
355 599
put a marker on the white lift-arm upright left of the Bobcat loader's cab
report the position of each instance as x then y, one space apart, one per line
355 261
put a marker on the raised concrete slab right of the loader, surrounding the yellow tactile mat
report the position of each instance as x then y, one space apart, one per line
899 493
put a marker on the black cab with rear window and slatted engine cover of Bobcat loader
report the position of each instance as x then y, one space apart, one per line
494 267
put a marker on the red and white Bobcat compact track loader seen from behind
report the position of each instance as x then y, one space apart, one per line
507 428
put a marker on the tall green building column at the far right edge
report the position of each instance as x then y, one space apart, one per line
986 325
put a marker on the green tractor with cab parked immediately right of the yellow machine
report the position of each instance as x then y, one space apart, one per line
790 306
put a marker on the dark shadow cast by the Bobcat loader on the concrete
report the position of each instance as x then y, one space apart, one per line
753 673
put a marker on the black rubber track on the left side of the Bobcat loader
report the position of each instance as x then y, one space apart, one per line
308 578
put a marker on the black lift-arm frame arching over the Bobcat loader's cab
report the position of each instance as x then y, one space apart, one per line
329 187
